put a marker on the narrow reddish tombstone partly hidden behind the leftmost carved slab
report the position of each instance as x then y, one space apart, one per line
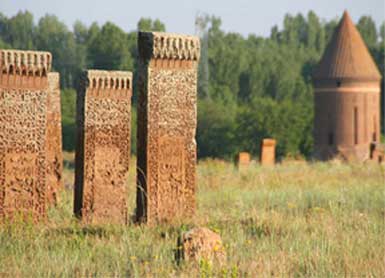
54 139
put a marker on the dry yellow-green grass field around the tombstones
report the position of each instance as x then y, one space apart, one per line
296 219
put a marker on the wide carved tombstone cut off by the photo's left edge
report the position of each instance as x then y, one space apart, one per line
23 123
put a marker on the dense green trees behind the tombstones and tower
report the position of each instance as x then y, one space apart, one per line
249 88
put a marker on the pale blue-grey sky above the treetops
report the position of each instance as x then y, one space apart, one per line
241 16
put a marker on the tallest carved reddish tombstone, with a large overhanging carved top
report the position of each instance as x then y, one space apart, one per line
167 119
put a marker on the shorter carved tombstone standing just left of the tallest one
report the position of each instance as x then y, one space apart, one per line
103 146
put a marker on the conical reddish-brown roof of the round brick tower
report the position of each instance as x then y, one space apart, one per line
346 56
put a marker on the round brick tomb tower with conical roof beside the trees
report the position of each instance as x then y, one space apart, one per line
347 97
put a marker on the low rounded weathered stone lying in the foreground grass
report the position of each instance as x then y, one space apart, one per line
201 244
